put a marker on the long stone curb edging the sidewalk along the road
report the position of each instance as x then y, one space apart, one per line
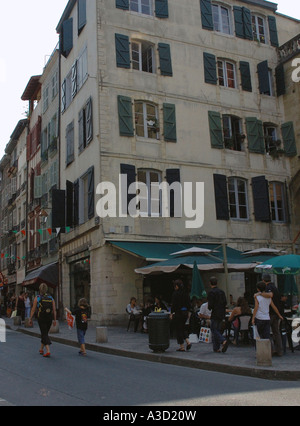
165 358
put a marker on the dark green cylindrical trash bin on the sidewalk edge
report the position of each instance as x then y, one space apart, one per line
159 331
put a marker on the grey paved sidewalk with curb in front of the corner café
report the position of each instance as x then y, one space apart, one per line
237 360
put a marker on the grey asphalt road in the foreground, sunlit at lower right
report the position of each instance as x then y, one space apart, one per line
66 379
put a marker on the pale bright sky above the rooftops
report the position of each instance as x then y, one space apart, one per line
28 37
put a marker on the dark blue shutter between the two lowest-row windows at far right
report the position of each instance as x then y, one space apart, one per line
260 190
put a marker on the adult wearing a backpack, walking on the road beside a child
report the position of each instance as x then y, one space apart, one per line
45 305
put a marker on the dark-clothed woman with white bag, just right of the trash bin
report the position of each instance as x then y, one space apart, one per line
180 312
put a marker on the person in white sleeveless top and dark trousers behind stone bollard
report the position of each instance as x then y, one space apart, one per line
261 314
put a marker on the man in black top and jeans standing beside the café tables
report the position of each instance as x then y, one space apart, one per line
217 305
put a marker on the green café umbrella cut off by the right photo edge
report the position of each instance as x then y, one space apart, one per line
288 264
